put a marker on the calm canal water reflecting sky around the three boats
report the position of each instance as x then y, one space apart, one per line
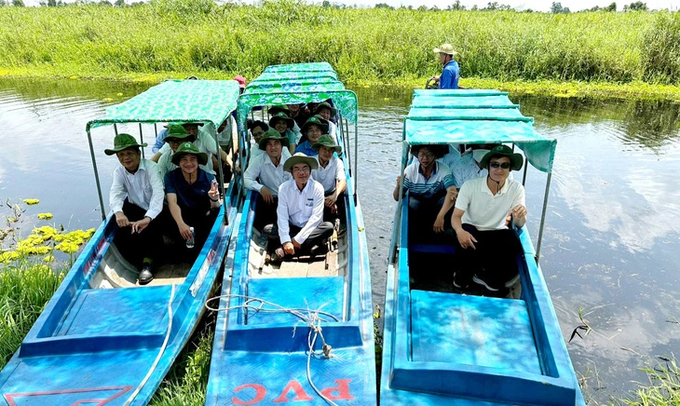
611 244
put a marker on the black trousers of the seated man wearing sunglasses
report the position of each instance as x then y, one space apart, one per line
493 260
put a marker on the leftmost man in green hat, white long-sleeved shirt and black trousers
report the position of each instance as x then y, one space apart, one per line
136 200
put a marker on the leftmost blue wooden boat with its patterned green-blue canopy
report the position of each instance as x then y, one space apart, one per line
102 339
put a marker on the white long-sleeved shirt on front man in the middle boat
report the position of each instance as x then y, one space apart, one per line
302 208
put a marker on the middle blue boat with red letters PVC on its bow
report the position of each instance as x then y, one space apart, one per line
274 321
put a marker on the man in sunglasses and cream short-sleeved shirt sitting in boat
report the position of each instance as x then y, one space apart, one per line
486 248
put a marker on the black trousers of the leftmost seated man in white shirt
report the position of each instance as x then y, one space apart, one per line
139 246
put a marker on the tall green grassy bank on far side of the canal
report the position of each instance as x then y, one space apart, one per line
623 53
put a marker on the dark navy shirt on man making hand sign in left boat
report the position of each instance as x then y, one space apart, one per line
194 196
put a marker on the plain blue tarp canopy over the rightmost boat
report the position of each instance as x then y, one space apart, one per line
473 125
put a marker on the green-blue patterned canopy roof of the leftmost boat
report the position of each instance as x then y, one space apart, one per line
176 101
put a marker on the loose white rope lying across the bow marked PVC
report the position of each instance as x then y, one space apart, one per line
311 318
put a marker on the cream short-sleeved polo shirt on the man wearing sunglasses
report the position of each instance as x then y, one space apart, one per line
485 210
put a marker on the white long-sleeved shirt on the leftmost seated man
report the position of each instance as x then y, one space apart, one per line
143 188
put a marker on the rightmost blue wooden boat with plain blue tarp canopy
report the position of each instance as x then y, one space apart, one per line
448 348
